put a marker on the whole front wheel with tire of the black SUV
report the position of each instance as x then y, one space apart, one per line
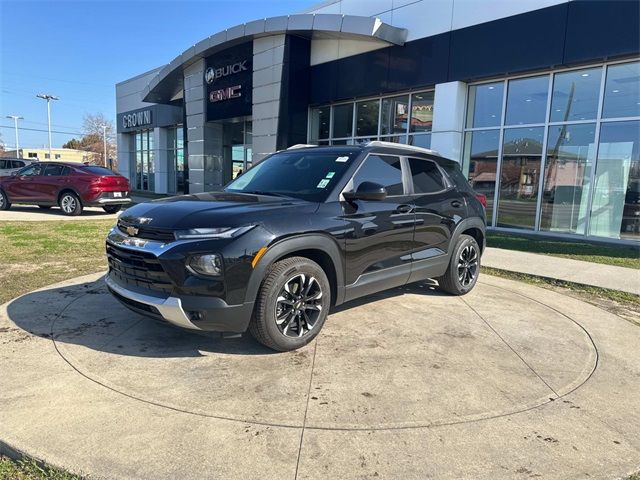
281 292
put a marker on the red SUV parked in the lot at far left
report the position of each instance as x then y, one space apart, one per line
71 186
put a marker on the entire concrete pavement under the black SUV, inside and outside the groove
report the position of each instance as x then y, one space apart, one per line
510 381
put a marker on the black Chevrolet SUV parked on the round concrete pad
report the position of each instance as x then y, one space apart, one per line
303 230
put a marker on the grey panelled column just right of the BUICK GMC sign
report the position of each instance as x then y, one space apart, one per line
268 57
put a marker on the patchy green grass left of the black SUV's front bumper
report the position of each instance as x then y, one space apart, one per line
34 255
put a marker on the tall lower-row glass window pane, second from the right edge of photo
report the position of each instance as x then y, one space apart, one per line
570 153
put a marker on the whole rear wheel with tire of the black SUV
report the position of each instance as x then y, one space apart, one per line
464 267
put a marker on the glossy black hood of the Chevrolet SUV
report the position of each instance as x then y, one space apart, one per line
208 210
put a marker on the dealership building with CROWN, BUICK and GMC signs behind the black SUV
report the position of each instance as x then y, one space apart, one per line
539 101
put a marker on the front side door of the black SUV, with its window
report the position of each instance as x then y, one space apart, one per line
379 243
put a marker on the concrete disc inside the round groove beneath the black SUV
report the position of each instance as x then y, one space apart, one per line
406 358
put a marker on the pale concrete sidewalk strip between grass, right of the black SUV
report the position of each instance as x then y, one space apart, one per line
576 271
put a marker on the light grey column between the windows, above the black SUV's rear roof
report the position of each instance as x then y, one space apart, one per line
448 120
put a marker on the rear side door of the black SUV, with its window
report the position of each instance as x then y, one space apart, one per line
439 207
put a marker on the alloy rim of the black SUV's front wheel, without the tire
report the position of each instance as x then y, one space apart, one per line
299 305
